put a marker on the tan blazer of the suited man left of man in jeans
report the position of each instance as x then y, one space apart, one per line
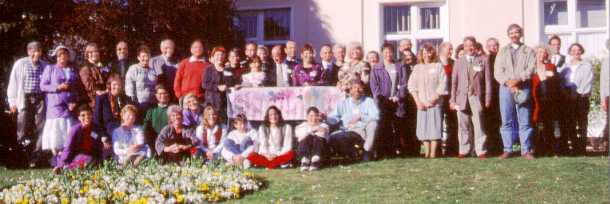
481 83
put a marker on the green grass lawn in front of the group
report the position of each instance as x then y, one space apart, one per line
544 180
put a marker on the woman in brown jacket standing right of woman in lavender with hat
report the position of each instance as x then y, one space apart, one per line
93 74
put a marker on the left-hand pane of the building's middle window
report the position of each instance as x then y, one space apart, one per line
396 19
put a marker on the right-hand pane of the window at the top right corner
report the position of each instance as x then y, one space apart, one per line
591 13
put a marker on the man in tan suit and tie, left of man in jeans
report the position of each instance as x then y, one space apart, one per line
470 94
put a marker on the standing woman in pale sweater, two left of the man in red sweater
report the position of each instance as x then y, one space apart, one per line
140 80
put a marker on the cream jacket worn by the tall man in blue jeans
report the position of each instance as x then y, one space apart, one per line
522 69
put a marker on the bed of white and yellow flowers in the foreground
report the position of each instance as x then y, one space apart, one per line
191 182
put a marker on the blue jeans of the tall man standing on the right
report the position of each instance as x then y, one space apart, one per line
508 110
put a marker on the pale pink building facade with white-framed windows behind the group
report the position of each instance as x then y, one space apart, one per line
374 22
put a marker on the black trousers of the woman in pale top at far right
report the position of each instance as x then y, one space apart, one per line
573 126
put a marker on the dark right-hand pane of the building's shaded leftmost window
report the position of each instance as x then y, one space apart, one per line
277 24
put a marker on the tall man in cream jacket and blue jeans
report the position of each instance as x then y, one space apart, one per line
514 66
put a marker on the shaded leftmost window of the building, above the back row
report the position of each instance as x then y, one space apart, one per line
266 26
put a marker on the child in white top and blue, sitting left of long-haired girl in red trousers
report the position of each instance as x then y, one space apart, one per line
239 143
